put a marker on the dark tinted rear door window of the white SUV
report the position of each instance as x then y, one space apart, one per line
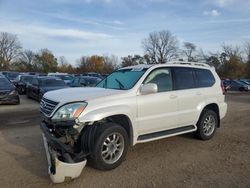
184 78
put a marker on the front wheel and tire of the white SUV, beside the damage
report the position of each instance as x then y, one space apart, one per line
105 146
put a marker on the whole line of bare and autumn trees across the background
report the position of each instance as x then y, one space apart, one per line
160 47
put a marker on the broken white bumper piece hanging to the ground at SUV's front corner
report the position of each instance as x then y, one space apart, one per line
58 170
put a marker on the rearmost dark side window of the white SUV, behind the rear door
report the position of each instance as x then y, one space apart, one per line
204 78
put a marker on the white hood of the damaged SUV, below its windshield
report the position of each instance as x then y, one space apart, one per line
80 94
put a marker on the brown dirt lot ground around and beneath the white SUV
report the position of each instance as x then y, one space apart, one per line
180 161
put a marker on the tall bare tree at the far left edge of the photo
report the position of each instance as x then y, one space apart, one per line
9 49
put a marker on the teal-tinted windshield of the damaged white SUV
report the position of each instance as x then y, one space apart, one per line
122 79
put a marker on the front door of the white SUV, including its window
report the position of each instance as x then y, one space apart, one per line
157 111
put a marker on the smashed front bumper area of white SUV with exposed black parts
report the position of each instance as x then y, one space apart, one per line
67 145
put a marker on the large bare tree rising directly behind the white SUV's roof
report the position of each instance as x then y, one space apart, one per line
160 46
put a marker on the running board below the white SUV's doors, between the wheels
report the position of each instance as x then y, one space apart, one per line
166 132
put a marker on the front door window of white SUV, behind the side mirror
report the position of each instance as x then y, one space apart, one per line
162 78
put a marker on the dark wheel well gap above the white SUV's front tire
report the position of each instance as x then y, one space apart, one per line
125 122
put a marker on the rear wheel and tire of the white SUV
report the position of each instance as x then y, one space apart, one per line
207 125
